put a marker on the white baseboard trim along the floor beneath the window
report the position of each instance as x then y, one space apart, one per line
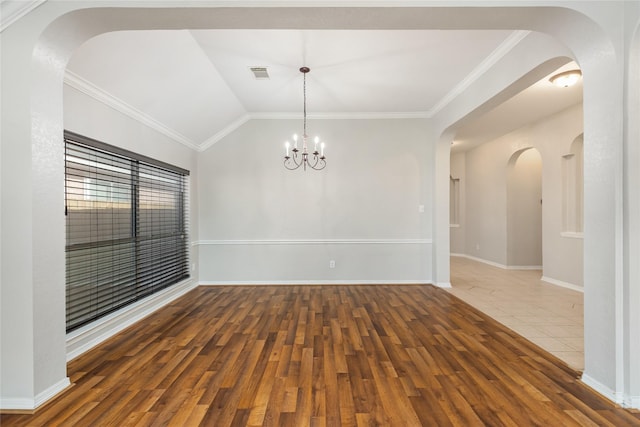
87 337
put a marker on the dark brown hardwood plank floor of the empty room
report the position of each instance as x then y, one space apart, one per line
322 355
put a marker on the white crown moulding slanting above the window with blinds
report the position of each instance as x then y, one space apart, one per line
79 83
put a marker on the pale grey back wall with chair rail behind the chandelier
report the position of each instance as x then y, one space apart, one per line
263 223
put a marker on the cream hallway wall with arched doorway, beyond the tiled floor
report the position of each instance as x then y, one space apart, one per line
486 202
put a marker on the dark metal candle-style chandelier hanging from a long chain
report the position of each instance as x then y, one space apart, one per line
302 157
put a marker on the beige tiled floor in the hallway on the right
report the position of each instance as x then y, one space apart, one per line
548 315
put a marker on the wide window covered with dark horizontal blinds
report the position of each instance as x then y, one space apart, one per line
126 228
